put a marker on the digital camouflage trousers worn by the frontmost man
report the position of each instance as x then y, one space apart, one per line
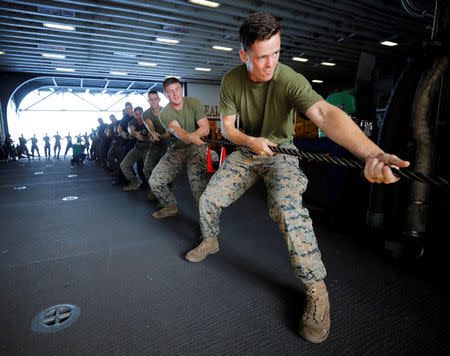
285 183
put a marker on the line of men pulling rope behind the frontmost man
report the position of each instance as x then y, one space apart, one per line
141 140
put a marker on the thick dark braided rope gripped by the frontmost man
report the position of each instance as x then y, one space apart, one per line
345 162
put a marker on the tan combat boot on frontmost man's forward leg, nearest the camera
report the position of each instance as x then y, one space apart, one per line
315 322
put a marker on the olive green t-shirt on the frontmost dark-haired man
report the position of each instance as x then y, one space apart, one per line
265 108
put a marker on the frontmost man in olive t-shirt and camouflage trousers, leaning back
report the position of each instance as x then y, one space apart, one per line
264 92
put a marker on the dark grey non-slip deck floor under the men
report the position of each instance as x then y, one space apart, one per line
137 295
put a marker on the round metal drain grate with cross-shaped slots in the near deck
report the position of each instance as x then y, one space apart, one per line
55 318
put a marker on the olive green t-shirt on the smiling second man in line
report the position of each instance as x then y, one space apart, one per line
187 117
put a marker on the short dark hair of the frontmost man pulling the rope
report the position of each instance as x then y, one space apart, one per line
258 26
